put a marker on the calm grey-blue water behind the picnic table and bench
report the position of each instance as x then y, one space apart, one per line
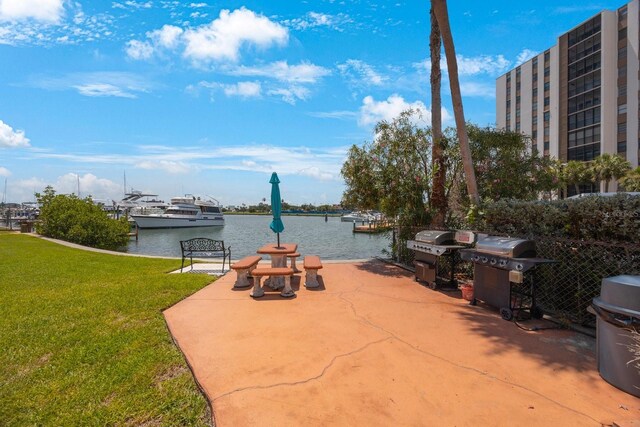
246 233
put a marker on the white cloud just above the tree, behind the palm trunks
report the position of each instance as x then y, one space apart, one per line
372 111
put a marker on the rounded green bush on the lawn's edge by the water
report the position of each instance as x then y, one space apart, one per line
79 221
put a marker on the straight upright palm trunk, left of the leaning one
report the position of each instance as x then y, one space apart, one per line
438 198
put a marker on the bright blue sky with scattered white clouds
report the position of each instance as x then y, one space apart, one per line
210 97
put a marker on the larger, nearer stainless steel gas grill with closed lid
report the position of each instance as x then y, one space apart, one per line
504 274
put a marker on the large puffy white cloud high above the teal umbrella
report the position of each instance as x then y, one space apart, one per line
223 38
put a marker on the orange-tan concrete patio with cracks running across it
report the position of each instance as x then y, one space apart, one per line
373 347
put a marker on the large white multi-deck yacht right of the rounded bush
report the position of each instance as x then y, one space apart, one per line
187 211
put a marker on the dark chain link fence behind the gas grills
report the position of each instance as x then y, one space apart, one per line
564 289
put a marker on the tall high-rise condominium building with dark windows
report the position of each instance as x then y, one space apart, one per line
579 98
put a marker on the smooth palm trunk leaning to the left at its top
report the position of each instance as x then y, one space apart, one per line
442 15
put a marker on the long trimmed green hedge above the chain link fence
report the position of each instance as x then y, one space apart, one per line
605 219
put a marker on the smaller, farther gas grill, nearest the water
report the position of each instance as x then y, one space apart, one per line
436 255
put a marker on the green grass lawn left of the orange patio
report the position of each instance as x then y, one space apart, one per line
84 342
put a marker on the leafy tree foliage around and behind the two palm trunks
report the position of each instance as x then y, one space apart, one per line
394 172
